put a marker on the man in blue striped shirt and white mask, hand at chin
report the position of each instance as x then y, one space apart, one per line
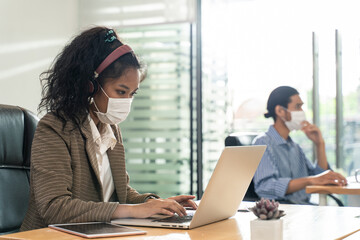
284 170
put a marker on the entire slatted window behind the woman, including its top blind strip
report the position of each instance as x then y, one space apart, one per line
158 133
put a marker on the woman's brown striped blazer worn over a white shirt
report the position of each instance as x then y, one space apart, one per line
64 176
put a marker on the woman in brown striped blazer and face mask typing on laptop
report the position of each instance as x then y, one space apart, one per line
78 164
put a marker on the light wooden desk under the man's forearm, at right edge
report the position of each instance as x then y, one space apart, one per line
353 188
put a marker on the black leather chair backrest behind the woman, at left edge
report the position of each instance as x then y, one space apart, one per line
17 128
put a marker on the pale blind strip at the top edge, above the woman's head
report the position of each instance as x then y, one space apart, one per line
136 12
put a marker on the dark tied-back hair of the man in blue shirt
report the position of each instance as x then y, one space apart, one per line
279 96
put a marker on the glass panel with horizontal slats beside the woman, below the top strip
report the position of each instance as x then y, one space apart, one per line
157 132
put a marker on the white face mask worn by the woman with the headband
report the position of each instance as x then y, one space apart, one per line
117 110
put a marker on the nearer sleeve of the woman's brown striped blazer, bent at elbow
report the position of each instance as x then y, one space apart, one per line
52 181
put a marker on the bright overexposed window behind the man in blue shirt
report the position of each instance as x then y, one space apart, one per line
269 44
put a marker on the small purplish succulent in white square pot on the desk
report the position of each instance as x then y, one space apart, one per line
268 225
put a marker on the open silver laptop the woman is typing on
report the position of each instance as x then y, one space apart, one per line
223 194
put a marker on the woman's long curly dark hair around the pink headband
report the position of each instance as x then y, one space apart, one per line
66 85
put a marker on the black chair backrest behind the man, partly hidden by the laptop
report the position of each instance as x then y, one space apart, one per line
244 139
